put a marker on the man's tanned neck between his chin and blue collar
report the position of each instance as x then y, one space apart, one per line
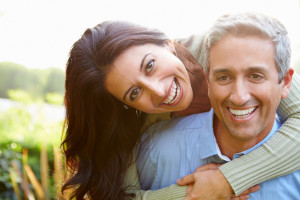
230 145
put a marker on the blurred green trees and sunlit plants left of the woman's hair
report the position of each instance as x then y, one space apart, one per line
31 117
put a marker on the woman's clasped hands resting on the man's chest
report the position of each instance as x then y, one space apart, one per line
207 182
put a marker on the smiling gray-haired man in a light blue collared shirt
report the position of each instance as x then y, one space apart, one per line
246 58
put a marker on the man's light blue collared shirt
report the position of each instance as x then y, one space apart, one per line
174 148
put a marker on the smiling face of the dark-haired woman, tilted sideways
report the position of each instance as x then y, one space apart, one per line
150 78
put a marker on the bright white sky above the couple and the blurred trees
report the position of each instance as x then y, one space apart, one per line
40 33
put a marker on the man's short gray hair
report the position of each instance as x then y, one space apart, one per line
246 24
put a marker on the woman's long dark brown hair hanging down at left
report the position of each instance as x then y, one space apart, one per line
100 133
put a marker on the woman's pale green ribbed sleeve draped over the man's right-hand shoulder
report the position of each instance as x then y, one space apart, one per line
278 156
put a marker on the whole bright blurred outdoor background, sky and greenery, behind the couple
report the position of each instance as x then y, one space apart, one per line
35 39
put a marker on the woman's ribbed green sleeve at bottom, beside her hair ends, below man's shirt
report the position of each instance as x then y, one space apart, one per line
132 185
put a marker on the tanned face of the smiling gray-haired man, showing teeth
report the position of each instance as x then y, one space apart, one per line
244 86
